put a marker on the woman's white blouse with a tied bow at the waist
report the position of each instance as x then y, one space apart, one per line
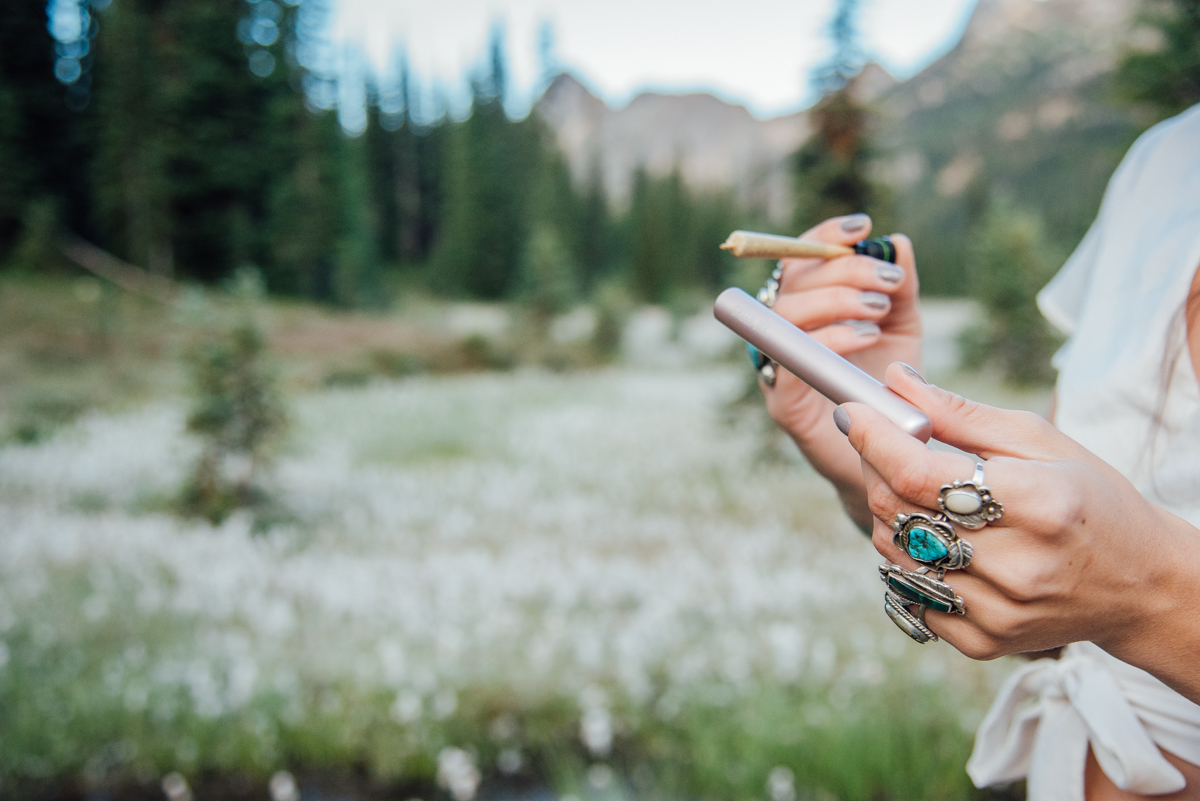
1126 392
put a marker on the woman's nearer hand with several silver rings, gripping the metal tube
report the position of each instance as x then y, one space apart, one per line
1078 556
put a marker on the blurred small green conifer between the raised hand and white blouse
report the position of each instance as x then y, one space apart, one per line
1010 263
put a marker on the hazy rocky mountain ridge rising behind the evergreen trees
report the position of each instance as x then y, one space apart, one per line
1022 69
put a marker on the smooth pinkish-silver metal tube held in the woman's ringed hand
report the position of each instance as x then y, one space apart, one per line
814 364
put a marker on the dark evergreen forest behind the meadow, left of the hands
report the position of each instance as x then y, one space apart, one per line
193 140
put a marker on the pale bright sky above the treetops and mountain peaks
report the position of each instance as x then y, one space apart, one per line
758 53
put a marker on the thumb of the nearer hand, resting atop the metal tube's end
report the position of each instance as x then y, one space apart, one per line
971 426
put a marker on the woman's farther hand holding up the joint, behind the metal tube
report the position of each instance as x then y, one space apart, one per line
862 309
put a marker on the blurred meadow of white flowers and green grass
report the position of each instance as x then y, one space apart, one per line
587 585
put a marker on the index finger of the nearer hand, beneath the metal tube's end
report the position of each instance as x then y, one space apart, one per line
908 468
